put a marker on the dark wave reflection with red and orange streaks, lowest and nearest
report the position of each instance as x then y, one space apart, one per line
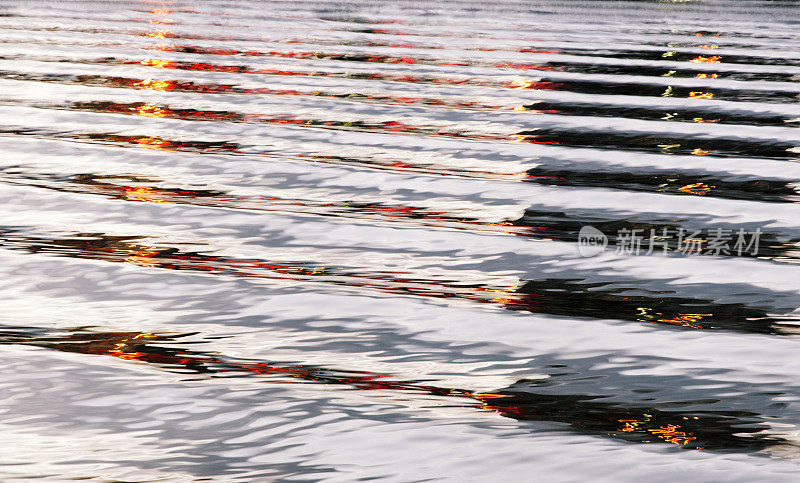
631 423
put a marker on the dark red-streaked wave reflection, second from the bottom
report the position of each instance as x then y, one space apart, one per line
556 297
